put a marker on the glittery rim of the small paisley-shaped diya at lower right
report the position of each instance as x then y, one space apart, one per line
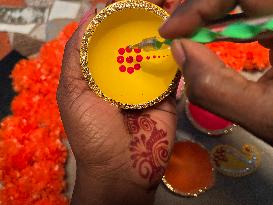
235 175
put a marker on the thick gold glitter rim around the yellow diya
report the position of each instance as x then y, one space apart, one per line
103 14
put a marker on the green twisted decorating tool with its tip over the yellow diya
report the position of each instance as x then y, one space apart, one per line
234 28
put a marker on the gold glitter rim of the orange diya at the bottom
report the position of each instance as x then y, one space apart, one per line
200 191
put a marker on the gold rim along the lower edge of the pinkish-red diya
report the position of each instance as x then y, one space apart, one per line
229 129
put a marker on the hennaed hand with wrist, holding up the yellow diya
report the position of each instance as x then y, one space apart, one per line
120 155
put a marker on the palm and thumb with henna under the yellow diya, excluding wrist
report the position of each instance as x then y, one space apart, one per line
103 137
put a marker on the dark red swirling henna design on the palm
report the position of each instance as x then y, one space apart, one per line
148 147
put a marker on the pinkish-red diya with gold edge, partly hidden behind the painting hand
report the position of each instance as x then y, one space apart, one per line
207 122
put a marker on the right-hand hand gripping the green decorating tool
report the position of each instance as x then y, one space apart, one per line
208 83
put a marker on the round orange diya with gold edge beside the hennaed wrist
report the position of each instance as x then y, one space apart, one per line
190 171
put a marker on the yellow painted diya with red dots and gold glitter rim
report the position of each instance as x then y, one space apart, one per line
127 78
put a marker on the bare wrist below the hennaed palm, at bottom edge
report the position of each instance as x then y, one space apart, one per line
109 187
